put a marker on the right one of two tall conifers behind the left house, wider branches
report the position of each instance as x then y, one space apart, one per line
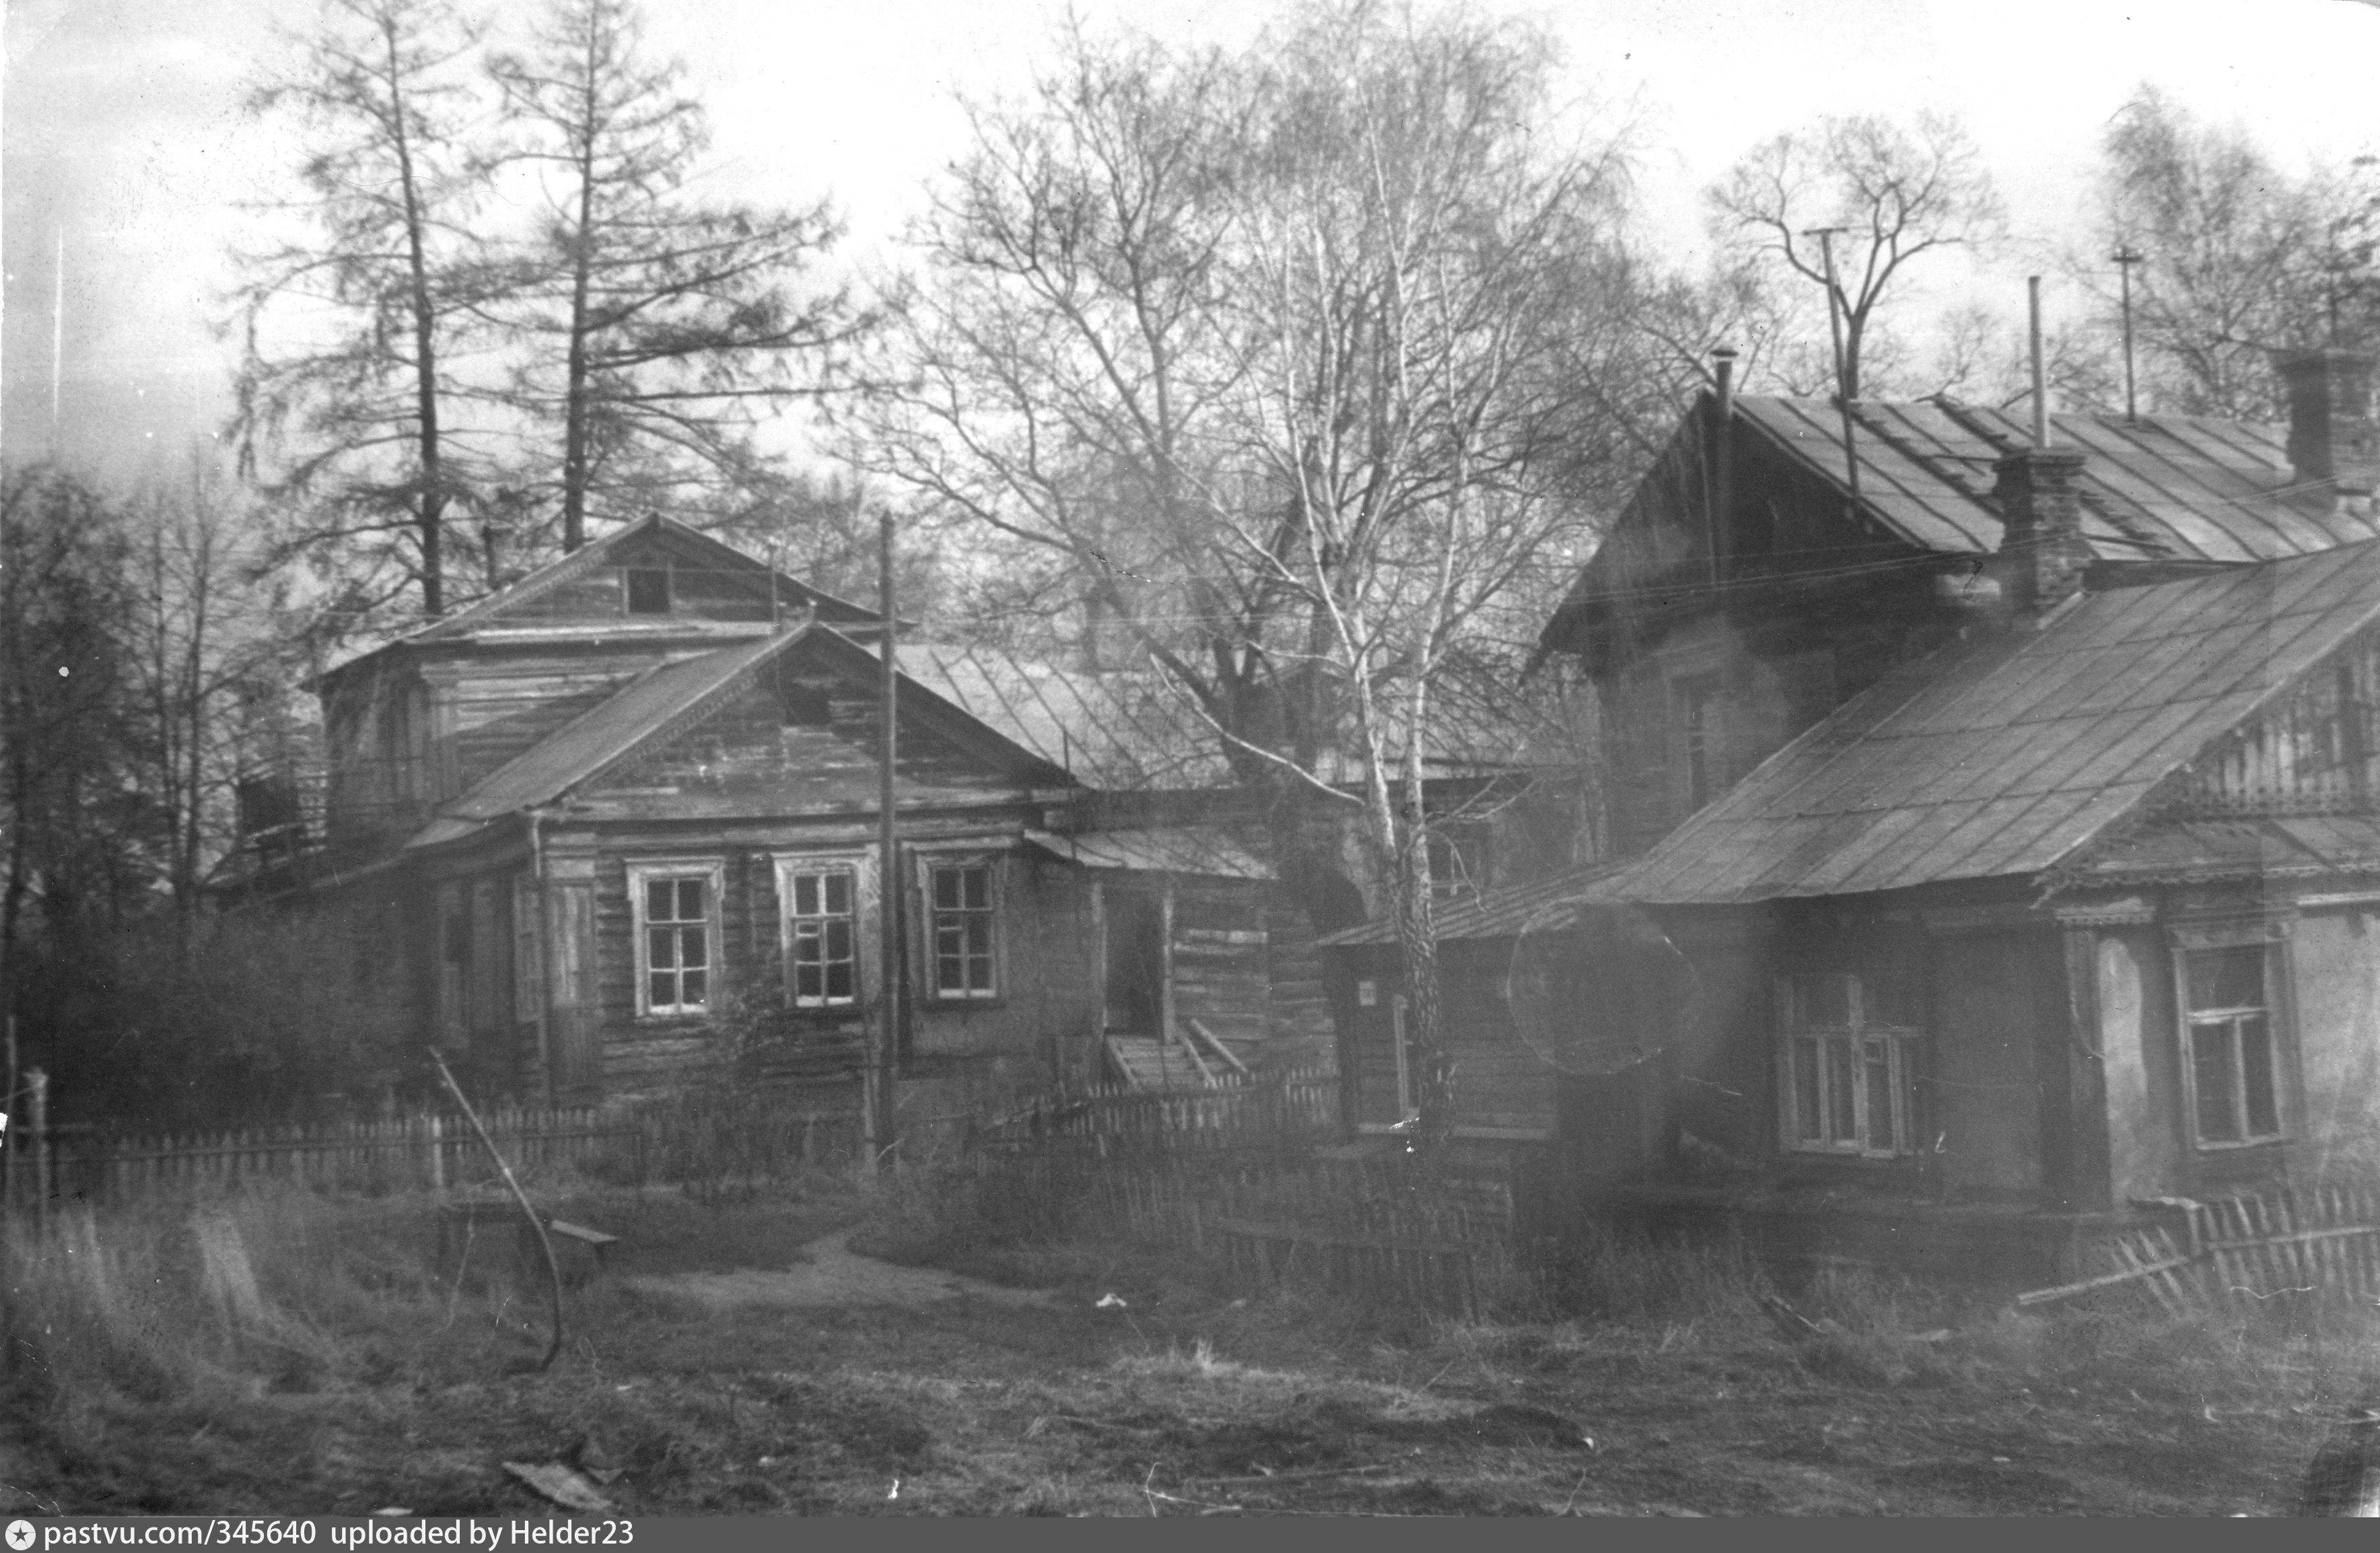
658 328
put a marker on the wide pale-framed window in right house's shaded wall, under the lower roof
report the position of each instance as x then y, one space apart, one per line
1848 1066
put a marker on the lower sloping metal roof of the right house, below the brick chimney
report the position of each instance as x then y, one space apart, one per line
2005 754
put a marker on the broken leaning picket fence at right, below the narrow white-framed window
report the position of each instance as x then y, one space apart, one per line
2291 1247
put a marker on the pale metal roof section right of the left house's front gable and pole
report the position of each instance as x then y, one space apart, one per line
1110 730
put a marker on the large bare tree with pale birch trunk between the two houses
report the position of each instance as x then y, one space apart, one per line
1282 361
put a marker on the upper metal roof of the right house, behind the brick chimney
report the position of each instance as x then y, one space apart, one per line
2165 487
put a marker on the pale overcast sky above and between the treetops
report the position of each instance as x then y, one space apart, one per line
127 149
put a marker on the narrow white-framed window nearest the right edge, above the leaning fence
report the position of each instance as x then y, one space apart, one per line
2231 1042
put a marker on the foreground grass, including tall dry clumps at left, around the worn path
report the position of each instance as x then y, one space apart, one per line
292 1354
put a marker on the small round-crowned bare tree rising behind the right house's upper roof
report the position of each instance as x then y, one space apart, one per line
1891 192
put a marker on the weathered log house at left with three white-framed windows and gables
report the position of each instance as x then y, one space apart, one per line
622 821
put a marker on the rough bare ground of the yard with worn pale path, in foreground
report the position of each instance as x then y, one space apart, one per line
832 1383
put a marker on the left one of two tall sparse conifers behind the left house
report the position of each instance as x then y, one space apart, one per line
346 382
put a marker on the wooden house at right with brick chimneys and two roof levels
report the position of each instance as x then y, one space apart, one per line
2008 806
